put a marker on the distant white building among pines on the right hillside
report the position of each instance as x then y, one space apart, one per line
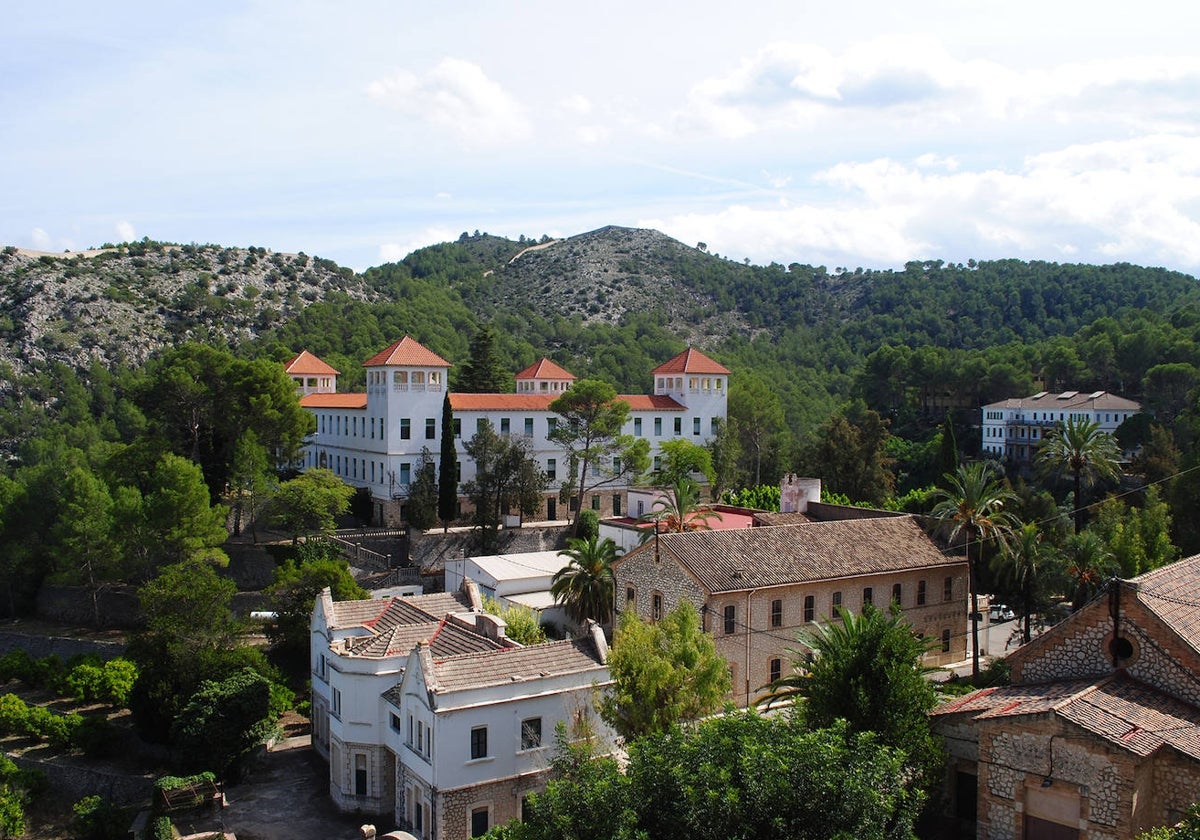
1013 429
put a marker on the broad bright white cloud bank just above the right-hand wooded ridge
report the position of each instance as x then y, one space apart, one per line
1117 201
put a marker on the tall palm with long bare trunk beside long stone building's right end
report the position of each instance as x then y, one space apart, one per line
973 506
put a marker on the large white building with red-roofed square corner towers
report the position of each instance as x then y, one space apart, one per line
376 440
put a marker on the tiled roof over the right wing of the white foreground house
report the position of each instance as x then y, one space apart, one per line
517 665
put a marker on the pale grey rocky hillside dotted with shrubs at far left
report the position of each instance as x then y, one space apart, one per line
124 303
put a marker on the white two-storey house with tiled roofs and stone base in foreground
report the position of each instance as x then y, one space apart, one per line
431 717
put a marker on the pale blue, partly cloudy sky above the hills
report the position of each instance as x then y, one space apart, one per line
855 134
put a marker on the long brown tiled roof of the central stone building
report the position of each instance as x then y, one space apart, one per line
749 559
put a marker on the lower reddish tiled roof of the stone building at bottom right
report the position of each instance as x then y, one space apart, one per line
1126 713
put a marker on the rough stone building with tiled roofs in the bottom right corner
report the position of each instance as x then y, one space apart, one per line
1100 734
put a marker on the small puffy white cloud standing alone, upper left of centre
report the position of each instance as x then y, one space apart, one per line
458 98
